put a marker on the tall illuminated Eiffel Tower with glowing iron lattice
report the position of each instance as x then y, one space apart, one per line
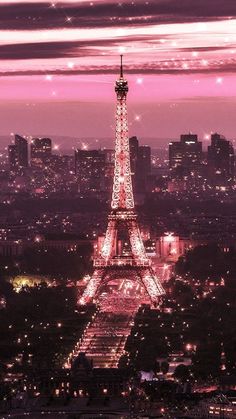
111 264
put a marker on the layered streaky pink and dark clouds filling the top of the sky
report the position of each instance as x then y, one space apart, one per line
158 36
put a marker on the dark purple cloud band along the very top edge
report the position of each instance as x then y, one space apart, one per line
41 15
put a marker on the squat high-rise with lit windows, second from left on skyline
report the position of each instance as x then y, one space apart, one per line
41 151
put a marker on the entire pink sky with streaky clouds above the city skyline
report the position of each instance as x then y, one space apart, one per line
59 61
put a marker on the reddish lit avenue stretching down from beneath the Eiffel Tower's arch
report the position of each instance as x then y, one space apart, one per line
104 338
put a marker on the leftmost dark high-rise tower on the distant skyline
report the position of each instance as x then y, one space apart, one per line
18 154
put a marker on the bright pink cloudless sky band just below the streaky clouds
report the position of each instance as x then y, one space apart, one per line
100 87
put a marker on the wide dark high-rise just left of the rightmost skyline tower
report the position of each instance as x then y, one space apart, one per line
185 156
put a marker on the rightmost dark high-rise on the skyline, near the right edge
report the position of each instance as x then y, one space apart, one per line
220 161
